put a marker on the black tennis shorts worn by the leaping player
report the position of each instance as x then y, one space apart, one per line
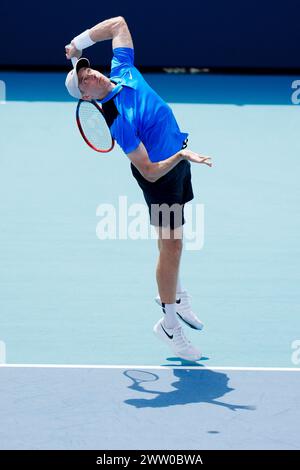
166 197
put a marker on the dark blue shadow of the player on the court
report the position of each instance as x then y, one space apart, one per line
191 386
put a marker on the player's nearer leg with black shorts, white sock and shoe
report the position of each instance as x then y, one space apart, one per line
167 192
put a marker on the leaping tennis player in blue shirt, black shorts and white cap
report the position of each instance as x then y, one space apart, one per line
146 130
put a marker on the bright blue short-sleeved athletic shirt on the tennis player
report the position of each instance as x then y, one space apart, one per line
143 115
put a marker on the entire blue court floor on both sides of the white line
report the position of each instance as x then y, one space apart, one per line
68 298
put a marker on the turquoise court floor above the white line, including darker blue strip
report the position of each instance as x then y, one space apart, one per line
67 297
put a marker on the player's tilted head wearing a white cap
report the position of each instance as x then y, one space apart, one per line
86 83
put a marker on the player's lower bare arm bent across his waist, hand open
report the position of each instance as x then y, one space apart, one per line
153 171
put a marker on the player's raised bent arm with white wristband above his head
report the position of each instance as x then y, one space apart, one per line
115 29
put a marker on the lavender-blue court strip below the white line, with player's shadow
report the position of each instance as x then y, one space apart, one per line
43 408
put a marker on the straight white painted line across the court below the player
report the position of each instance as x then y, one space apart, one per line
150 367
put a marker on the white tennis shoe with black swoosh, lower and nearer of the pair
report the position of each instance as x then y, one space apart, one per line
177 341
